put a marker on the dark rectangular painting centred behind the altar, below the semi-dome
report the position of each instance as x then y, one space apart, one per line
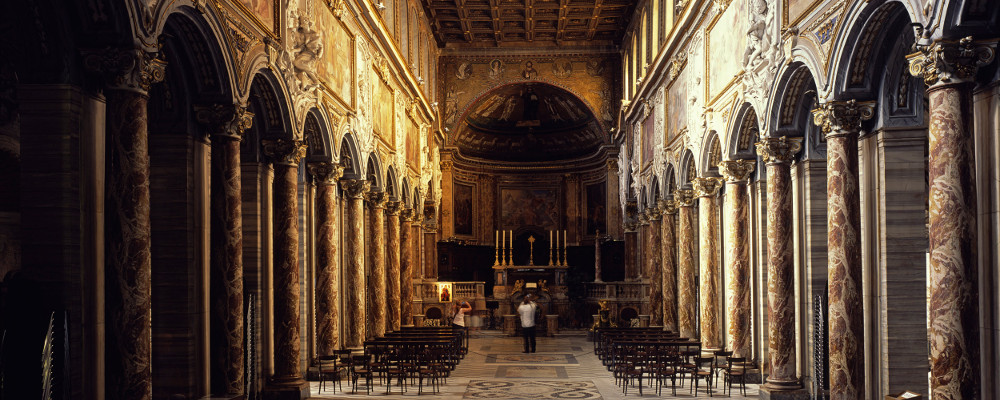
529 207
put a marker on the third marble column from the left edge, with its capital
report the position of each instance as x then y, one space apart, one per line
285 154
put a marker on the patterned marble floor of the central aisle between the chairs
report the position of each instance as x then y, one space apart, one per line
562 368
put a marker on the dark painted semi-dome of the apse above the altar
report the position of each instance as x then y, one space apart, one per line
529 122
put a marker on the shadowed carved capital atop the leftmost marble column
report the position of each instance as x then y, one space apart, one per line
126 69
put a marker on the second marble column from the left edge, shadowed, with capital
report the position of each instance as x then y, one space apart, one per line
225 125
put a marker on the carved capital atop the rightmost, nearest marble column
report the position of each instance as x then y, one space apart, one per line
950 61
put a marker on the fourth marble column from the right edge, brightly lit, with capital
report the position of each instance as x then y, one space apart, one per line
736 173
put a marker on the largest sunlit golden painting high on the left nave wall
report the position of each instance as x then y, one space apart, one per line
337 69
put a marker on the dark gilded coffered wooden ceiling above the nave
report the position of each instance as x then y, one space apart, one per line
496 23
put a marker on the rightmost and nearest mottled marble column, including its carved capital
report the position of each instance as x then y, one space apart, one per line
949 69
